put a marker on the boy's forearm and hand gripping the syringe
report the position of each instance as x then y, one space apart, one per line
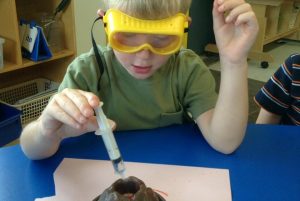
69 113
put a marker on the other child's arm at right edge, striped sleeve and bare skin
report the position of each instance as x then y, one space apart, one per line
277 98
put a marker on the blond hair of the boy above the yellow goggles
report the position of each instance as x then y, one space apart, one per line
150 9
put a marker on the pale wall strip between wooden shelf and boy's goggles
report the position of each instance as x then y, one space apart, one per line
85 14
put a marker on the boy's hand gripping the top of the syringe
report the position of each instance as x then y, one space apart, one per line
70 112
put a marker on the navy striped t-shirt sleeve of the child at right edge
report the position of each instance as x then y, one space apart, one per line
274 96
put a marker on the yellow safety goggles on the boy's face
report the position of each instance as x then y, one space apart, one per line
128 34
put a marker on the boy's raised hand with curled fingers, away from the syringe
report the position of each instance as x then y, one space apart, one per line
236 32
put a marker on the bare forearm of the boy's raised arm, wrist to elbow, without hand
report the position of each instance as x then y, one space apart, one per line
224 126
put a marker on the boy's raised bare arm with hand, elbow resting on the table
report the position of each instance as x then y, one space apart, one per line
224 126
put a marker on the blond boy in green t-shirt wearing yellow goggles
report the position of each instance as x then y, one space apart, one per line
149 82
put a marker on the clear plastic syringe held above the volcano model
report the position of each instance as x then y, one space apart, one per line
110 141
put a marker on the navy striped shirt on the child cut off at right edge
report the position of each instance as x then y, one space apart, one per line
281 94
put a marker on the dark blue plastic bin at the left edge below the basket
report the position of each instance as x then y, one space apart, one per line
10 124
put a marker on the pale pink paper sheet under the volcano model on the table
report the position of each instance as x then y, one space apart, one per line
83 180
